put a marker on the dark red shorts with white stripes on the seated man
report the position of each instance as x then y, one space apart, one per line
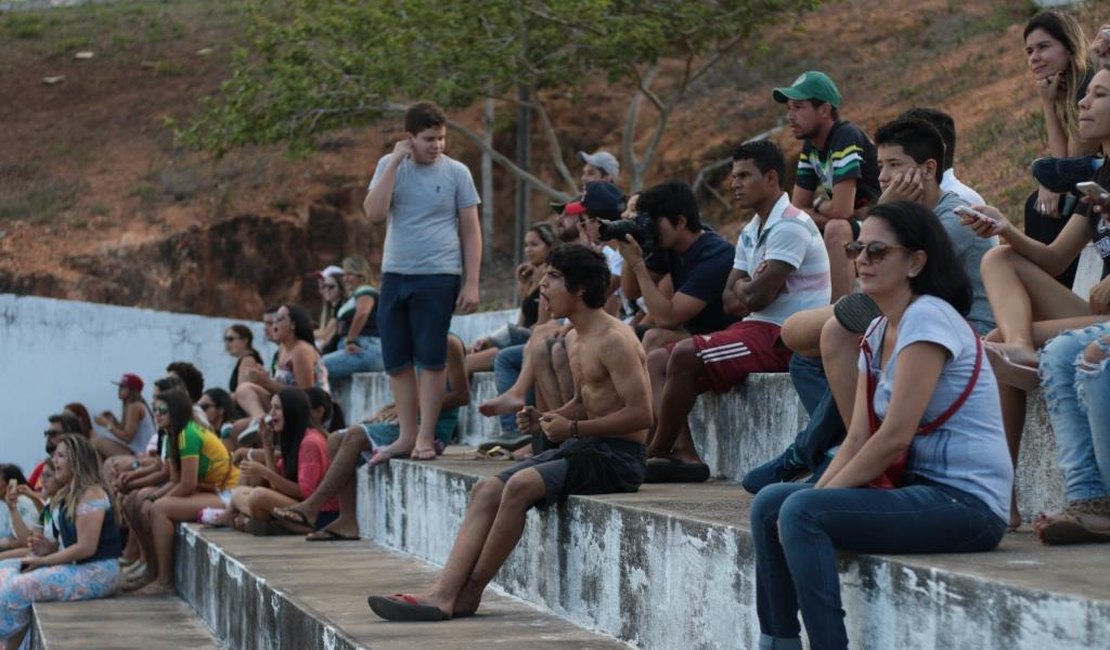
745 348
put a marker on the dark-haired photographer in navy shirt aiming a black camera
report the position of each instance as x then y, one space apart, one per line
675 263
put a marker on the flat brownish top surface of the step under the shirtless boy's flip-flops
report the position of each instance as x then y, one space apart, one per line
331 582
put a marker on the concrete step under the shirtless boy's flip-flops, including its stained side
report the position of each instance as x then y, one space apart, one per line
284 593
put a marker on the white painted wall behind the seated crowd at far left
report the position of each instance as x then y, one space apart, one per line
56 352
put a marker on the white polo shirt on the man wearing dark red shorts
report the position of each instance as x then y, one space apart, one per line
791 237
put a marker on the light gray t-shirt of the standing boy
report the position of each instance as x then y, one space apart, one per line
422 231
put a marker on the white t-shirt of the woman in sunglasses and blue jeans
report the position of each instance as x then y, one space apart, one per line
968 452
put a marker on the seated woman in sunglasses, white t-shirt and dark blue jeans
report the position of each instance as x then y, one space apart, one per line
925 395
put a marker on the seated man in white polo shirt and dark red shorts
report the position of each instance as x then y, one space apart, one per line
781 268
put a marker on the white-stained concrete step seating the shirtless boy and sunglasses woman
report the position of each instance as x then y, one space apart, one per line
673 567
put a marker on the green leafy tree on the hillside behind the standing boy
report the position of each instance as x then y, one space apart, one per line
317 65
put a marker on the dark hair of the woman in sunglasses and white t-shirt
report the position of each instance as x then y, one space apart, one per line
919 229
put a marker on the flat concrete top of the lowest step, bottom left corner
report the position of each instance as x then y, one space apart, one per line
120 624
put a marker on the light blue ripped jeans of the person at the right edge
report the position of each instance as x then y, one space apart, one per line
1077 394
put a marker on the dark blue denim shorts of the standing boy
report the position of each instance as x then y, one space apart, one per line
413 318
